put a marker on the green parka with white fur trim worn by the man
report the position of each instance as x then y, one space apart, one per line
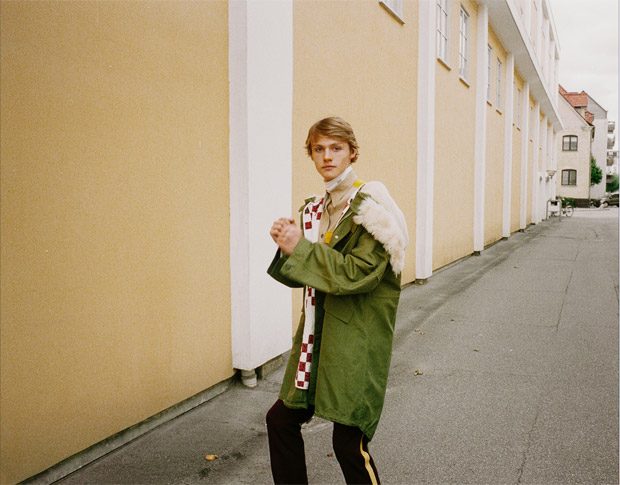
358 289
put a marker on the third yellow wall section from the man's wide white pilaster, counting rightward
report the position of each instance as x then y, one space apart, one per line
494 173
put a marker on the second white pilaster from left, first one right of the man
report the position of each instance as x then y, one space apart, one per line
426 140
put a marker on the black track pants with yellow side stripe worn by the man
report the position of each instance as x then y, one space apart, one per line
286 448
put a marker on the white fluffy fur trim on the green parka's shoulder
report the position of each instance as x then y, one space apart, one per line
382 218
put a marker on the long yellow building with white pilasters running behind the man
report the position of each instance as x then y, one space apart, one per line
146 148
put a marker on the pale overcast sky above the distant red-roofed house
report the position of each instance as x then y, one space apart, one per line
588 35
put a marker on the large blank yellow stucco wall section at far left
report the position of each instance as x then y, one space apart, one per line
114 219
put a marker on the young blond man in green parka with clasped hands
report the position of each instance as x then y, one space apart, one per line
348 256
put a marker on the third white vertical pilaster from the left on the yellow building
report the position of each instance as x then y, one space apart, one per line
481 124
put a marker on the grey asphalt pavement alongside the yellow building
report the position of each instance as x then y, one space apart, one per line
505 371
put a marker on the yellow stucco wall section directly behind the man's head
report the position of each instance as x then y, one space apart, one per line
357 62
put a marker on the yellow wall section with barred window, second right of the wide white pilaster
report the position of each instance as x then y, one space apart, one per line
455 125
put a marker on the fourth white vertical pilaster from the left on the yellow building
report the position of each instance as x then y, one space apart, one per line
508 120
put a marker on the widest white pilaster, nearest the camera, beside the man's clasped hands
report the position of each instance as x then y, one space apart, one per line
260 41
